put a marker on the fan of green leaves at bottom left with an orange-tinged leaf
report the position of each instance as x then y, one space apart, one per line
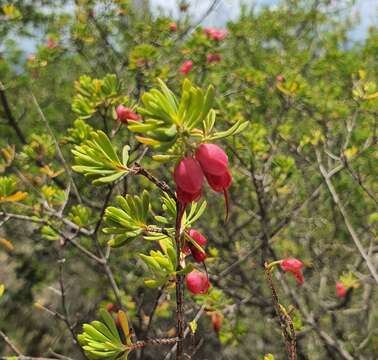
101 340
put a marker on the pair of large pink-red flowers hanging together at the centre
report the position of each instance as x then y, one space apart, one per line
210 161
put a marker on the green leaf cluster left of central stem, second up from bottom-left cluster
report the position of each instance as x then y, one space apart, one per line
127 221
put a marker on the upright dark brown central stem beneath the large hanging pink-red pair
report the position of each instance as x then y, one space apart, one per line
179 284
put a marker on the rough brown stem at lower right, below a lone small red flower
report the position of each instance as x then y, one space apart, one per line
285 321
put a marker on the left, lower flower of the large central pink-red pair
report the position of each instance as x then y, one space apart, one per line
188 177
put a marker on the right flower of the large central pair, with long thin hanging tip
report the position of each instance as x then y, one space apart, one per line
214 163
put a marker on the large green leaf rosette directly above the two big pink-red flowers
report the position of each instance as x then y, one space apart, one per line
170 122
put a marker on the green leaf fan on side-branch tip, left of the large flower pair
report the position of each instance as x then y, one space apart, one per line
97 159
